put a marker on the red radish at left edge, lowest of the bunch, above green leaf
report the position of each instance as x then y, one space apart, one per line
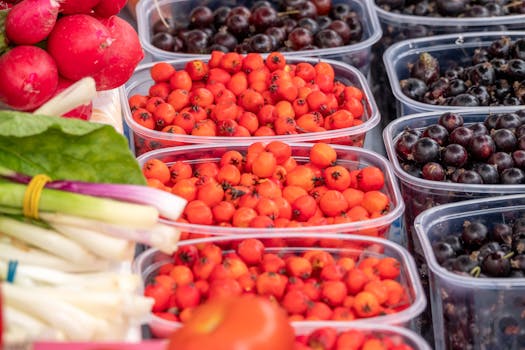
29 77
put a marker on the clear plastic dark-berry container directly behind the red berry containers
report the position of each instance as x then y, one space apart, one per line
357 55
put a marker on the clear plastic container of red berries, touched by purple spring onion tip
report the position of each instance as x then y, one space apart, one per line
349 157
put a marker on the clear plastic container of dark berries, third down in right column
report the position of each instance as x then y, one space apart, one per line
420 194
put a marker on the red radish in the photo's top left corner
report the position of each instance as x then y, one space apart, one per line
31 21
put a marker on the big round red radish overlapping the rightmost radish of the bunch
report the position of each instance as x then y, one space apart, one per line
79 44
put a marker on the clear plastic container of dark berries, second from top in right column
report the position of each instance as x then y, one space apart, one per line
455 48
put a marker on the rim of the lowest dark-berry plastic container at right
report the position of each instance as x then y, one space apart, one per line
423 221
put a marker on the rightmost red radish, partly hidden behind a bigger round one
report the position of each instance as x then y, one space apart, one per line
123 56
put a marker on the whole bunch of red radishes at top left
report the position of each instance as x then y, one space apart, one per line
53 43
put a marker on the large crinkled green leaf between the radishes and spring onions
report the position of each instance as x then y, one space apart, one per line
66 148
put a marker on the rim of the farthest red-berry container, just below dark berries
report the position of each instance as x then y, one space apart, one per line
368 125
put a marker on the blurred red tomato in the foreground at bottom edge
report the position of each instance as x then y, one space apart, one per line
243 322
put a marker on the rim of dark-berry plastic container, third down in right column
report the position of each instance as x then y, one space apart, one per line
389 138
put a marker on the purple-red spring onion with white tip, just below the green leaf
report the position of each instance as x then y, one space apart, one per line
169 206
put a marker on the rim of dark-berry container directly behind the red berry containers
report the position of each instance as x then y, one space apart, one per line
371 16
